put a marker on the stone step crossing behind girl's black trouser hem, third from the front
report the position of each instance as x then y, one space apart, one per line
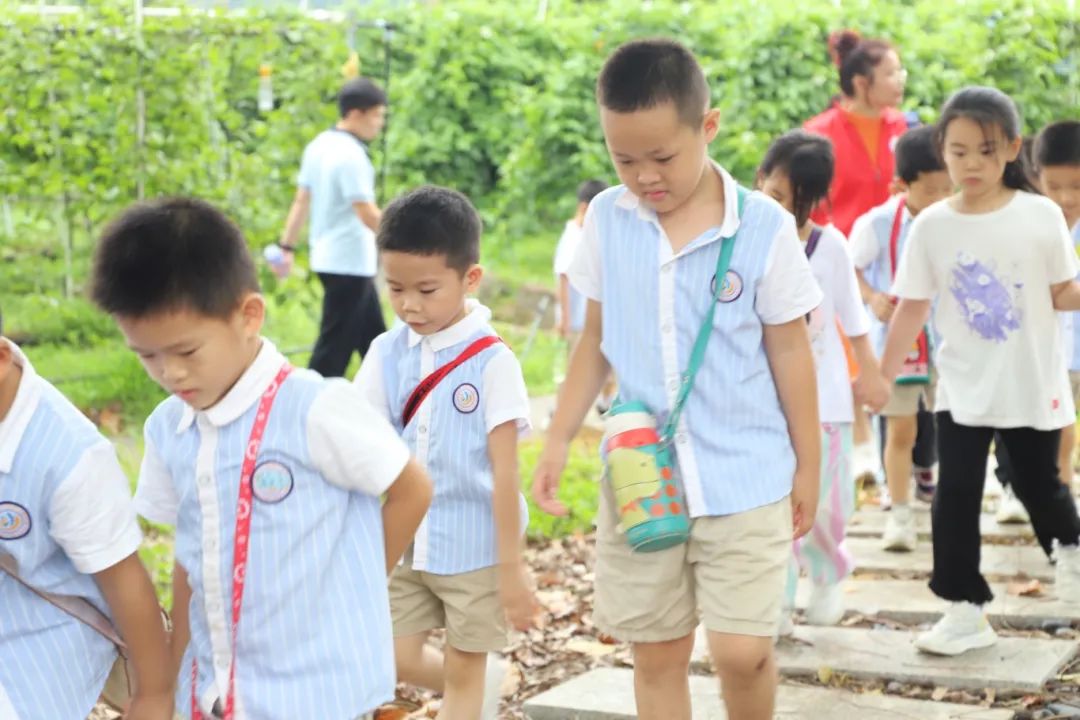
912 602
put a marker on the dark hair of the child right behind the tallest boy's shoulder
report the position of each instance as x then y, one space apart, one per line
808 161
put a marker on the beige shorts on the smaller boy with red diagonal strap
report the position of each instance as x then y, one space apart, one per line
467 605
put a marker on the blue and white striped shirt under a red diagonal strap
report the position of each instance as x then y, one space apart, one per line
449 434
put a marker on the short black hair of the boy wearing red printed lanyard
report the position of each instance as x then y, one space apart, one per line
172 254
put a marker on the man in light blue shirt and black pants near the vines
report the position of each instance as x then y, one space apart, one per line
336 188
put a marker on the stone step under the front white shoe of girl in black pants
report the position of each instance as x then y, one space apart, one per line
1021 664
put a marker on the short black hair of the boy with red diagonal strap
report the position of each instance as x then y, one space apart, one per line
433 221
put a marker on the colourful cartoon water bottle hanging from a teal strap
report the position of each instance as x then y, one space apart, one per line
650 501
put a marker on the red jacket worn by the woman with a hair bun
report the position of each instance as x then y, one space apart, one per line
858 185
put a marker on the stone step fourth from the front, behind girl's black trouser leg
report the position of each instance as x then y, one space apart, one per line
997 561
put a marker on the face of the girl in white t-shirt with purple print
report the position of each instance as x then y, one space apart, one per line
977 157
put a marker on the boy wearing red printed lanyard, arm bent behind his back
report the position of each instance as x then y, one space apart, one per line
272 476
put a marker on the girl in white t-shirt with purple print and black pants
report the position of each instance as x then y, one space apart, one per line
1000 262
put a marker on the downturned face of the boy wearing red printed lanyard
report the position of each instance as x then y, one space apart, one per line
195 357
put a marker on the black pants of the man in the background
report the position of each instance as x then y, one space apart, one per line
353 318
